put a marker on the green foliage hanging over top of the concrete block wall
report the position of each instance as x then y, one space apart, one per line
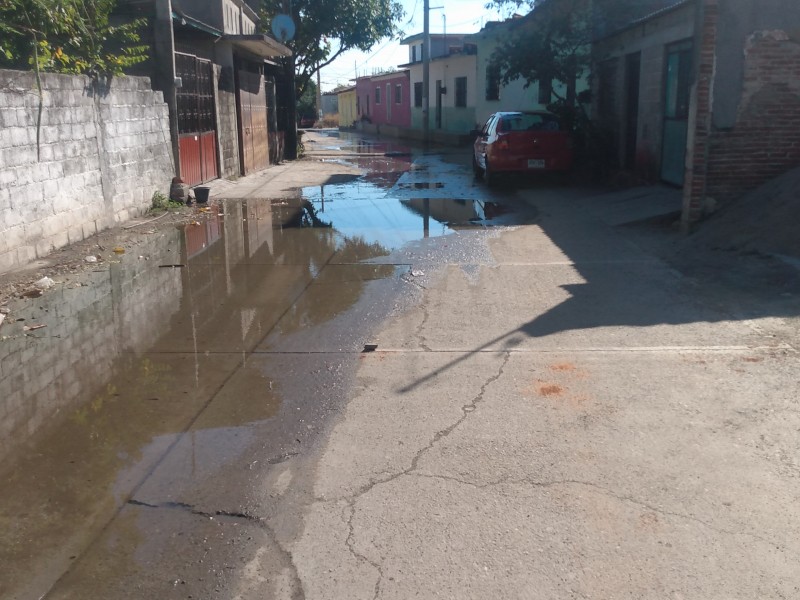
68 36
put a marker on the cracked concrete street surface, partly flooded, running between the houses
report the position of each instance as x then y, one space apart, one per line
548 407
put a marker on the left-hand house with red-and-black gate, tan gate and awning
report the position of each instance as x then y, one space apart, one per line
221 83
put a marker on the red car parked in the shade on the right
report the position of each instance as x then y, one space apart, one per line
522 142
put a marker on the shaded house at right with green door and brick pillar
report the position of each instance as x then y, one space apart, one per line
705 95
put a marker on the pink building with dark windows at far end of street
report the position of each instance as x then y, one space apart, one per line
384 99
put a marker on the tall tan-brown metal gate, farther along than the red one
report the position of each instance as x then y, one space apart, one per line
253 137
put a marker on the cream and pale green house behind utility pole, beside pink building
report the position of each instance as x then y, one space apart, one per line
452 89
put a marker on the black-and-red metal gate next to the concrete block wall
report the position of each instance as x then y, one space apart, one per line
197 131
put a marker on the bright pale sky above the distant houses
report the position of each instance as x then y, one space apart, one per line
461 16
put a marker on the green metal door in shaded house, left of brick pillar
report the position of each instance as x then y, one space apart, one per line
676 112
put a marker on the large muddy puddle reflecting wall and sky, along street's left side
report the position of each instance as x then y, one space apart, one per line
177 374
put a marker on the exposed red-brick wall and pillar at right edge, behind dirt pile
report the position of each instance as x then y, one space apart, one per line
763 140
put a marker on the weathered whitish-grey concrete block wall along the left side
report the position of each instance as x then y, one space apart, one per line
101 154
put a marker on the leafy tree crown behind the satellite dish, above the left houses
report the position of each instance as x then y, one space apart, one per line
327 28
